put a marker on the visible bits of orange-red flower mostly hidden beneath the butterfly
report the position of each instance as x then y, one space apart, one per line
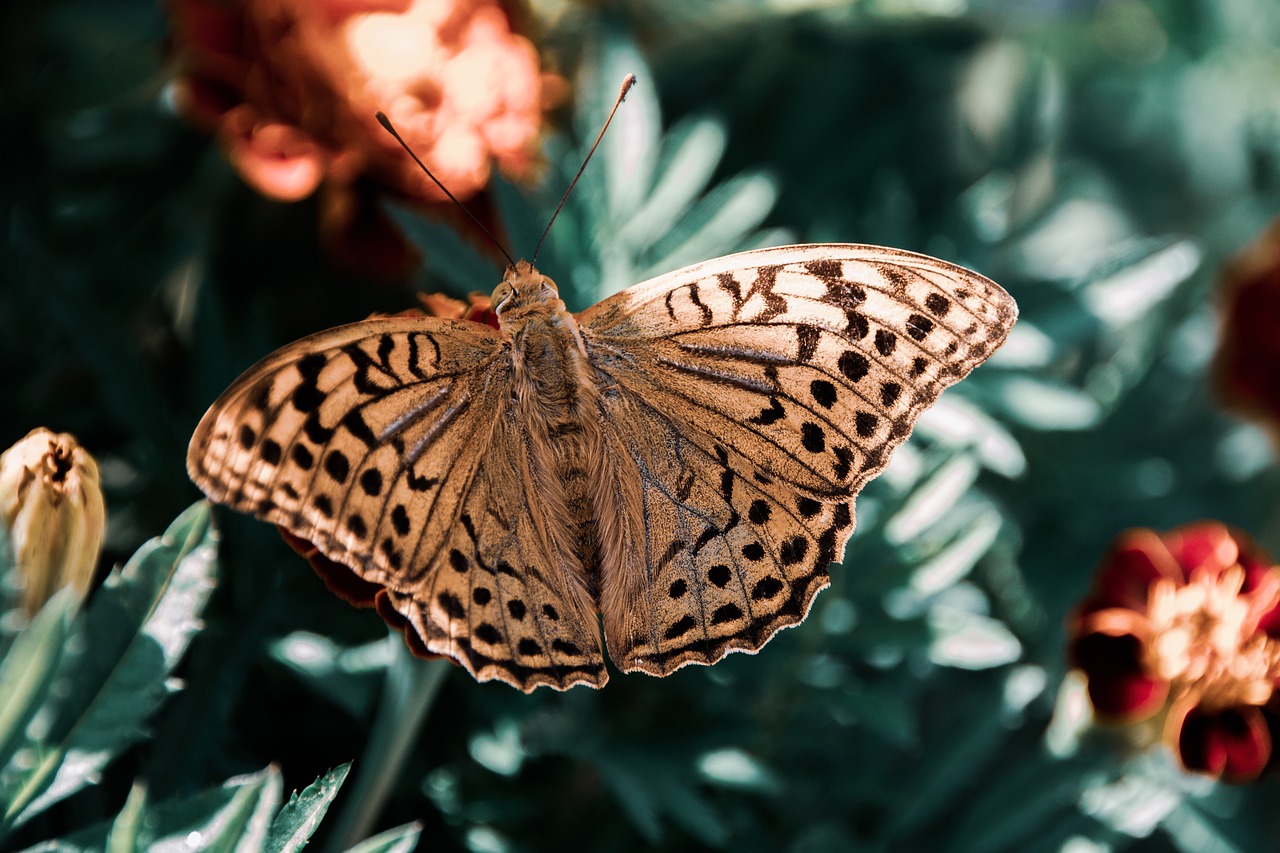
341 580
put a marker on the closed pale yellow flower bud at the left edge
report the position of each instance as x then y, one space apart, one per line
53 514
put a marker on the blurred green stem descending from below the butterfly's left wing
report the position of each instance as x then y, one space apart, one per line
409 694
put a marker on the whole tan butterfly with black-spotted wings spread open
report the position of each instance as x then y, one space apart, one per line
679 462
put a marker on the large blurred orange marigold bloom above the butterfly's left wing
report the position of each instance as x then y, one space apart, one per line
292 86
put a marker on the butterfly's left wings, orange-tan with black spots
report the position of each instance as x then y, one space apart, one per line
391 445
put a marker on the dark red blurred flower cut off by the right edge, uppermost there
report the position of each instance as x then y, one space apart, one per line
1249 357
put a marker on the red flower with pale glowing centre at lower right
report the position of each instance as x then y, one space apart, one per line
1187 623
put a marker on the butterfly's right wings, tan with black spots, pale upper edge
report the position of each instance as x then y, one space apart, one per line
747 402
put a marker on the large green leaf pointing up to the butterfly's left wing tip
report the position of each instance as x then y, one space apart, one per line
135 633
